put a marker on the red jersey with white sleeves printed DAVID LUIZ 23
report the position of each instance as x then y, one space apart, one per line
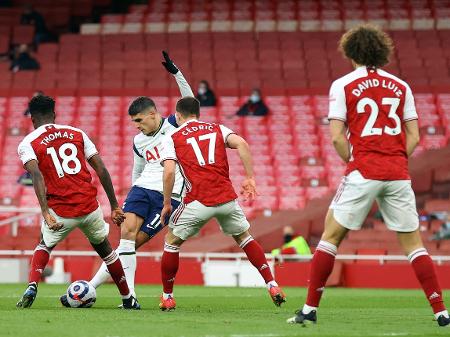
375 105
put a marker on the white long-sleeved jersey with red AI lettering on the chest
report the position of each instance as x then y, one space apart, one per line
147 169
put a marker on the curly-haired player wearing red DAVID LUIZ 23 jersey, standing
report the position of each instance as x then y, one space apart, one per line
376 109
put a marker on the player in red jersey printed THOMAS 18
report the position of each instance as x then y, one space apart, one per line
55 156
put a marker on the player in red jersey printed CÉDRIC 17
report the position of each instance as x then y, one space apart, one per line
199 149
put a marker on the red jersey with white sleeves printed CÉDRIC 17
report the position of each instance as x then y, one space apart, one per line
200 150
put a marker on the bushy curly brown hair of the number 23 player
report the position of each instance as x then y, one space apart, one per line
367 45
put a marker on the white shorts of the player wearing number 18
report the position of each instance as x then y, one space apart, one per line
92 225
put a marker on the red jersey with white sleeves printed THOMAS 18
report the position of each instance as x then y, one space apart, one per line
61 152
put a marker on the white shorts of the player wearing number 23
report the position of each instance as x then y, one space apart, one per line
396 201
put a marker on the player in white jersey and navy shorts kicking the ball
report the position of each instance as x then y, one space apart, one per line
145 200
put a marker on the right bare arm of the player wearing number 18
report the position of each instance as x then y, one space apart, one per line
97 164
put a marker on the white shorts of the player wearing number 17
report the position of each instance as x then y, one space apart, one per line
187 220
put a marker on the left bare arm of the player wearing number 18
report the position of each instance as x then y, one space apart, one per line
40 190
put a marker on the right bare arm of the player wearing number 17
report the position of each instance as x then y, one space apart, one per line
234 141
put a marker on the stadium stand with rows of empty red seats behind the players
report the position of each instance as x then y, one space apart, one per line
287 48
